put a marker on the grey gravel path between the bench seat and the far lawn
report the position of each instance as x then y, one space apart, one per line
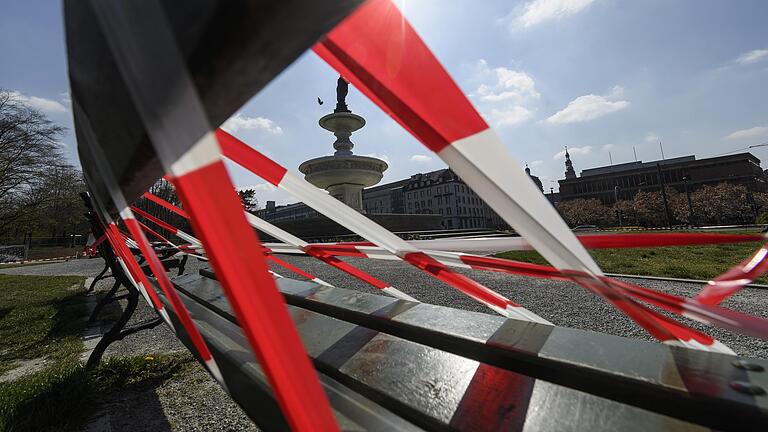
563 303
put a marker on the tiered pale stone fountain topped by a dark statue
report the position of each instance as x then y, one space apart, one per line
344 174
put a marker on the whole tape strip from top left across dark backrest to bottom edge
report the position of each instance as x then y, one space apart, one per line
207 194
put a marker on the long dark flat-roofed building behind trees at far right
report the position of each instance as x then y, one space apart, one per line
612 183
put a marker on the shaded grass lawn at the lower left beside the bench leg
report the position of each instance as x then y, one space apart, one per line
41 317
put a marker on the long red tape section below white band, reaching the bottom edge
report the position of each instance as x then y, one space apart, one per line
235 254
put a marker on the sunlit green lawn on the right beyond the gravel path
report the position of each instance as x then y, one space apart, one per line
689 262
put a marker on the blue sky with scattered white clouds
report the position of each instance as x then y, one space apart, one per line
598 76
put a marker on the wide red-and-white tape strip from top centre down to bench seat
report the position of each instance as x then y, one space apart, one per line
379 52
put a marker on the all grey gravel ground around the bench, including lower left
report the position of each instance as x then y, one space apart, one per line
193 401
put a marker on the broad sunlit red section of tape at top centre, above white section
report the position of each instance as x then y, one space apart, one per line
378 51
